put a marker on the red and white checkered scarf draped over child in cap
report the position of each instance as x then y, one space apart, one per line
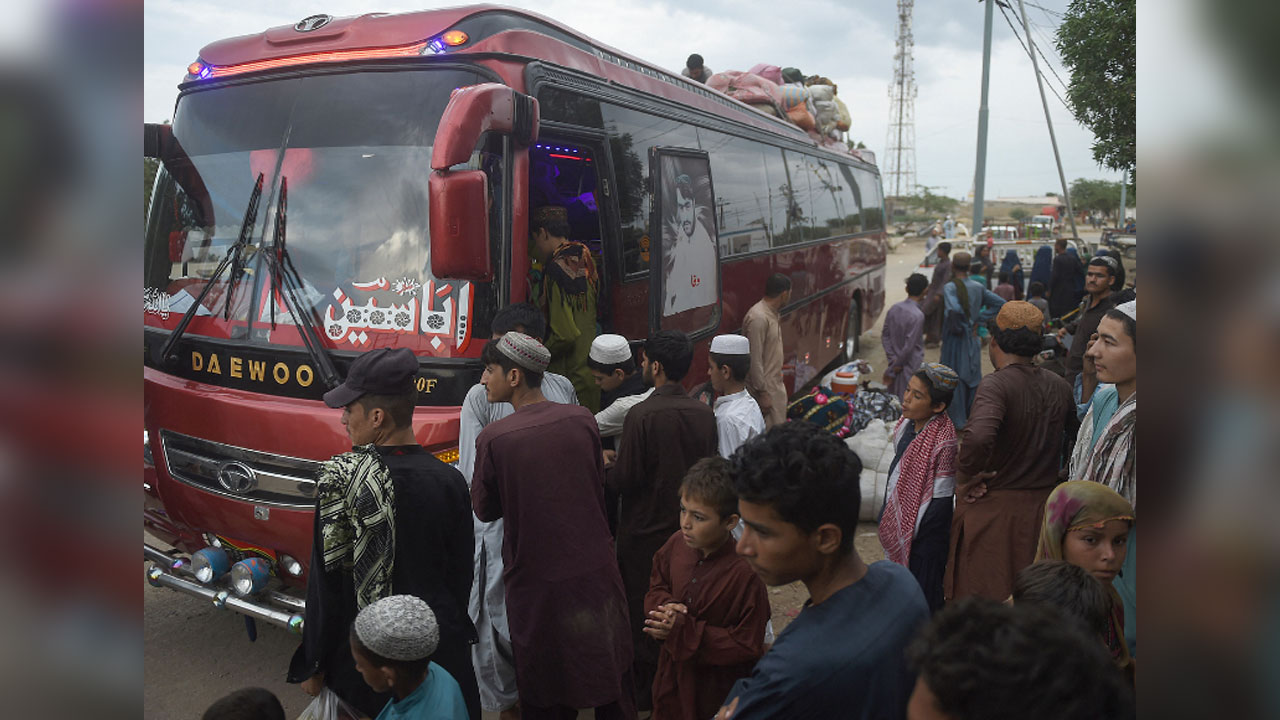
931 455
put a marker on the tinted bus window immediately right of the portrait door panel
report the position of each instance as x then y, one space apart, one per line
742 193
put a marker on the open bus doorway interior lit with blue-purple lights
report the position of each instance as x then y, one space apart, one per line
570 170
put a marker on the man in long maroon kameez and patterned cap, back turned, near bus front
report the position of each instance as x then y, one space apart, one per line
542 471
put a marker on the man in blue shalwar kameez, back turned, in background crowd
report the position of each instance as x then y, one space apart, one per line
966 307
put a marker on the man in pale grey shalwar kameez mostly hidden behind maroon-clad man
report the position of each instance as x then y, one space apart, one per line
488 607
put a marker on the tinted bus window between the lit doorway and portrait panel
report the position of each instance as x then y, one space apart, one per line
632 135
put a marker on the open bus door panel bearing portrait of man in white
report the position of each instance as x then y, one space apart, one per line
685 293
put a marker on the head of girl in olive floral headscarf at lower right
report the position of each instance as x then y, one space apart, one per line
1087 525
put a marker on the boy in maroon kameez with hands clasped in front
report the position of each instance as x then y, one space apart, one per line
706 605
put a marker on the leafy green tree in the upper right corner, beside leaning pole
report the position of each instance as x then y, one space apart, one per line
1098 44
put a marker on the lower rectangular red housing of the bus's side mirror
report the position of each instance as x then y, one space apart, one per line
460 225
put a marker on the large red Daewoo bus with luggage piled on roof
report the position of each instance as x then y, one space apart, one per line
350 184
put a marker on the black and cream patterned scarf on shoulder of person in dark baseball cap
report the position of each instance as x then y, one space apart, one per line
358 521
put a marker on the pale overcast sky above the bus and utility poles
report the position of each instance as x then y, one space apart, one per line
851 43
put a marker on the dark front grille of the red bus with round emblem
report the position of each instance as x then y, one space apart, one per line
277 480
